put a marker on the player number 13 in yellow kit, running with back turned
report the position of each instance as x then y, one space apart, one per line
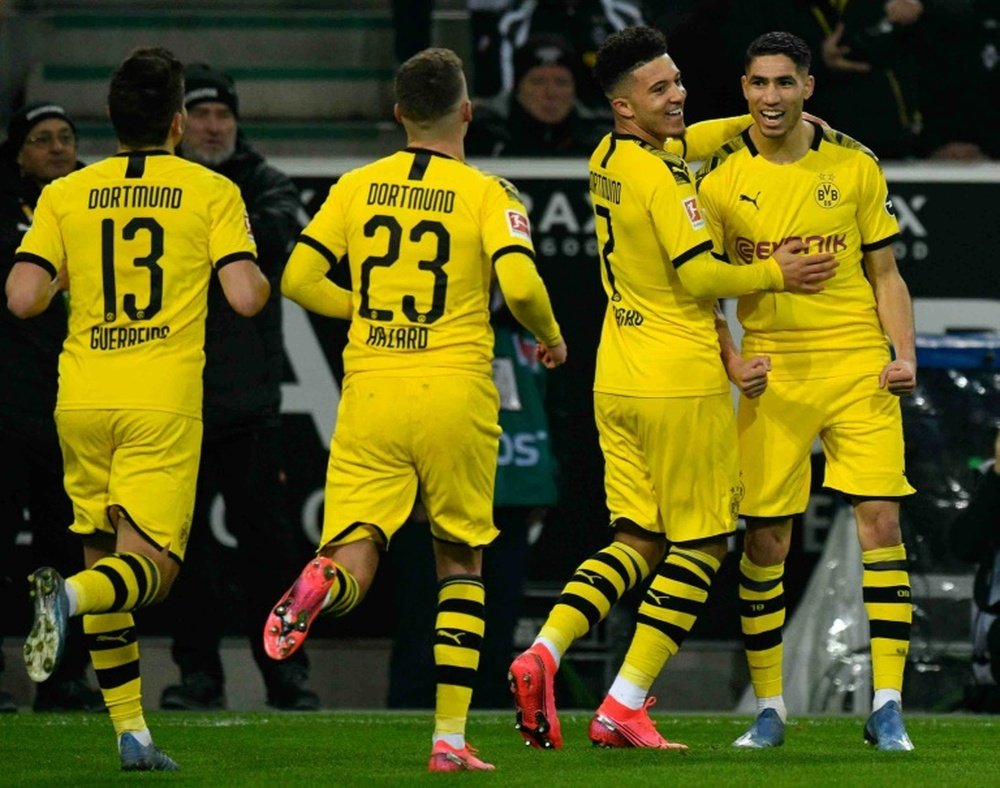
134 238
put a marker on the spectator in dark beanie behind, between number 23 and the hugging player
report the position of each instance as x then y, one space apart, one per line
542 117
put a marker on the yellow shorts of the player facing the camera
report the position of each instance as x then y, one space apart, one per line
859 425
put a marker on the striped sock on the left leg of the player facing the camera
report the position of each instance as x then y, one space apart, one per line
762 615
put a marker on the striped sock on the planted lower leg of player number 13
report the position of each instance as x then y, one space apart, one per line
114 650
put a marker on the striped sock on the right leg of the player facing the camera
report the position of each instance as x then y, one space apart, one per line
885 585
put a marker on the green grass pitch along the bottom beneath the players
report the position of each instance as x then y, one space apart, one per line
366 748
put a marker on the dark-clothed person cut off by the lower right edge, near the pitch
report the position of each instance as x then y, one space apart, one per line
975 537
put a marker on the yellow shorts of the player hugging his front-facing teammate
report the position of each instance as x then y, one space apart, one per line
671 464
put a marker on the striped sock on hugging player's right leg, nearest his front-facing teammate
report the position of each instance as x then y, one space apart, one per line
667 613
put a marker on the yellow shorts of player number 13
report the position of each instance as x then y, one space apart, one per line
143 461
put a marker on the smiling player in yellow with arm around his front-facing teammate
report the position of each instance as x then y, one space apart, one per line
662 403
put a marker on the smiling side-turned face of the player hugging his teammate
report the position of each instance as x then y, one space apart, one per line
655 99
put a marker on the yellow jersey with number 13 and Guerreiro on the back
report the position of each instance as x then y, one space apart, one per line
138 234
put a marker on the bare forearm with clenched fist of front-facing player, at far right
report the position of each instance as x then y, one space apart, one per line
895 312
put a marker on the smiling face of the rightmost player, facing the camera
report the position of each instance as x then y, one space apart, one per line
776 91
